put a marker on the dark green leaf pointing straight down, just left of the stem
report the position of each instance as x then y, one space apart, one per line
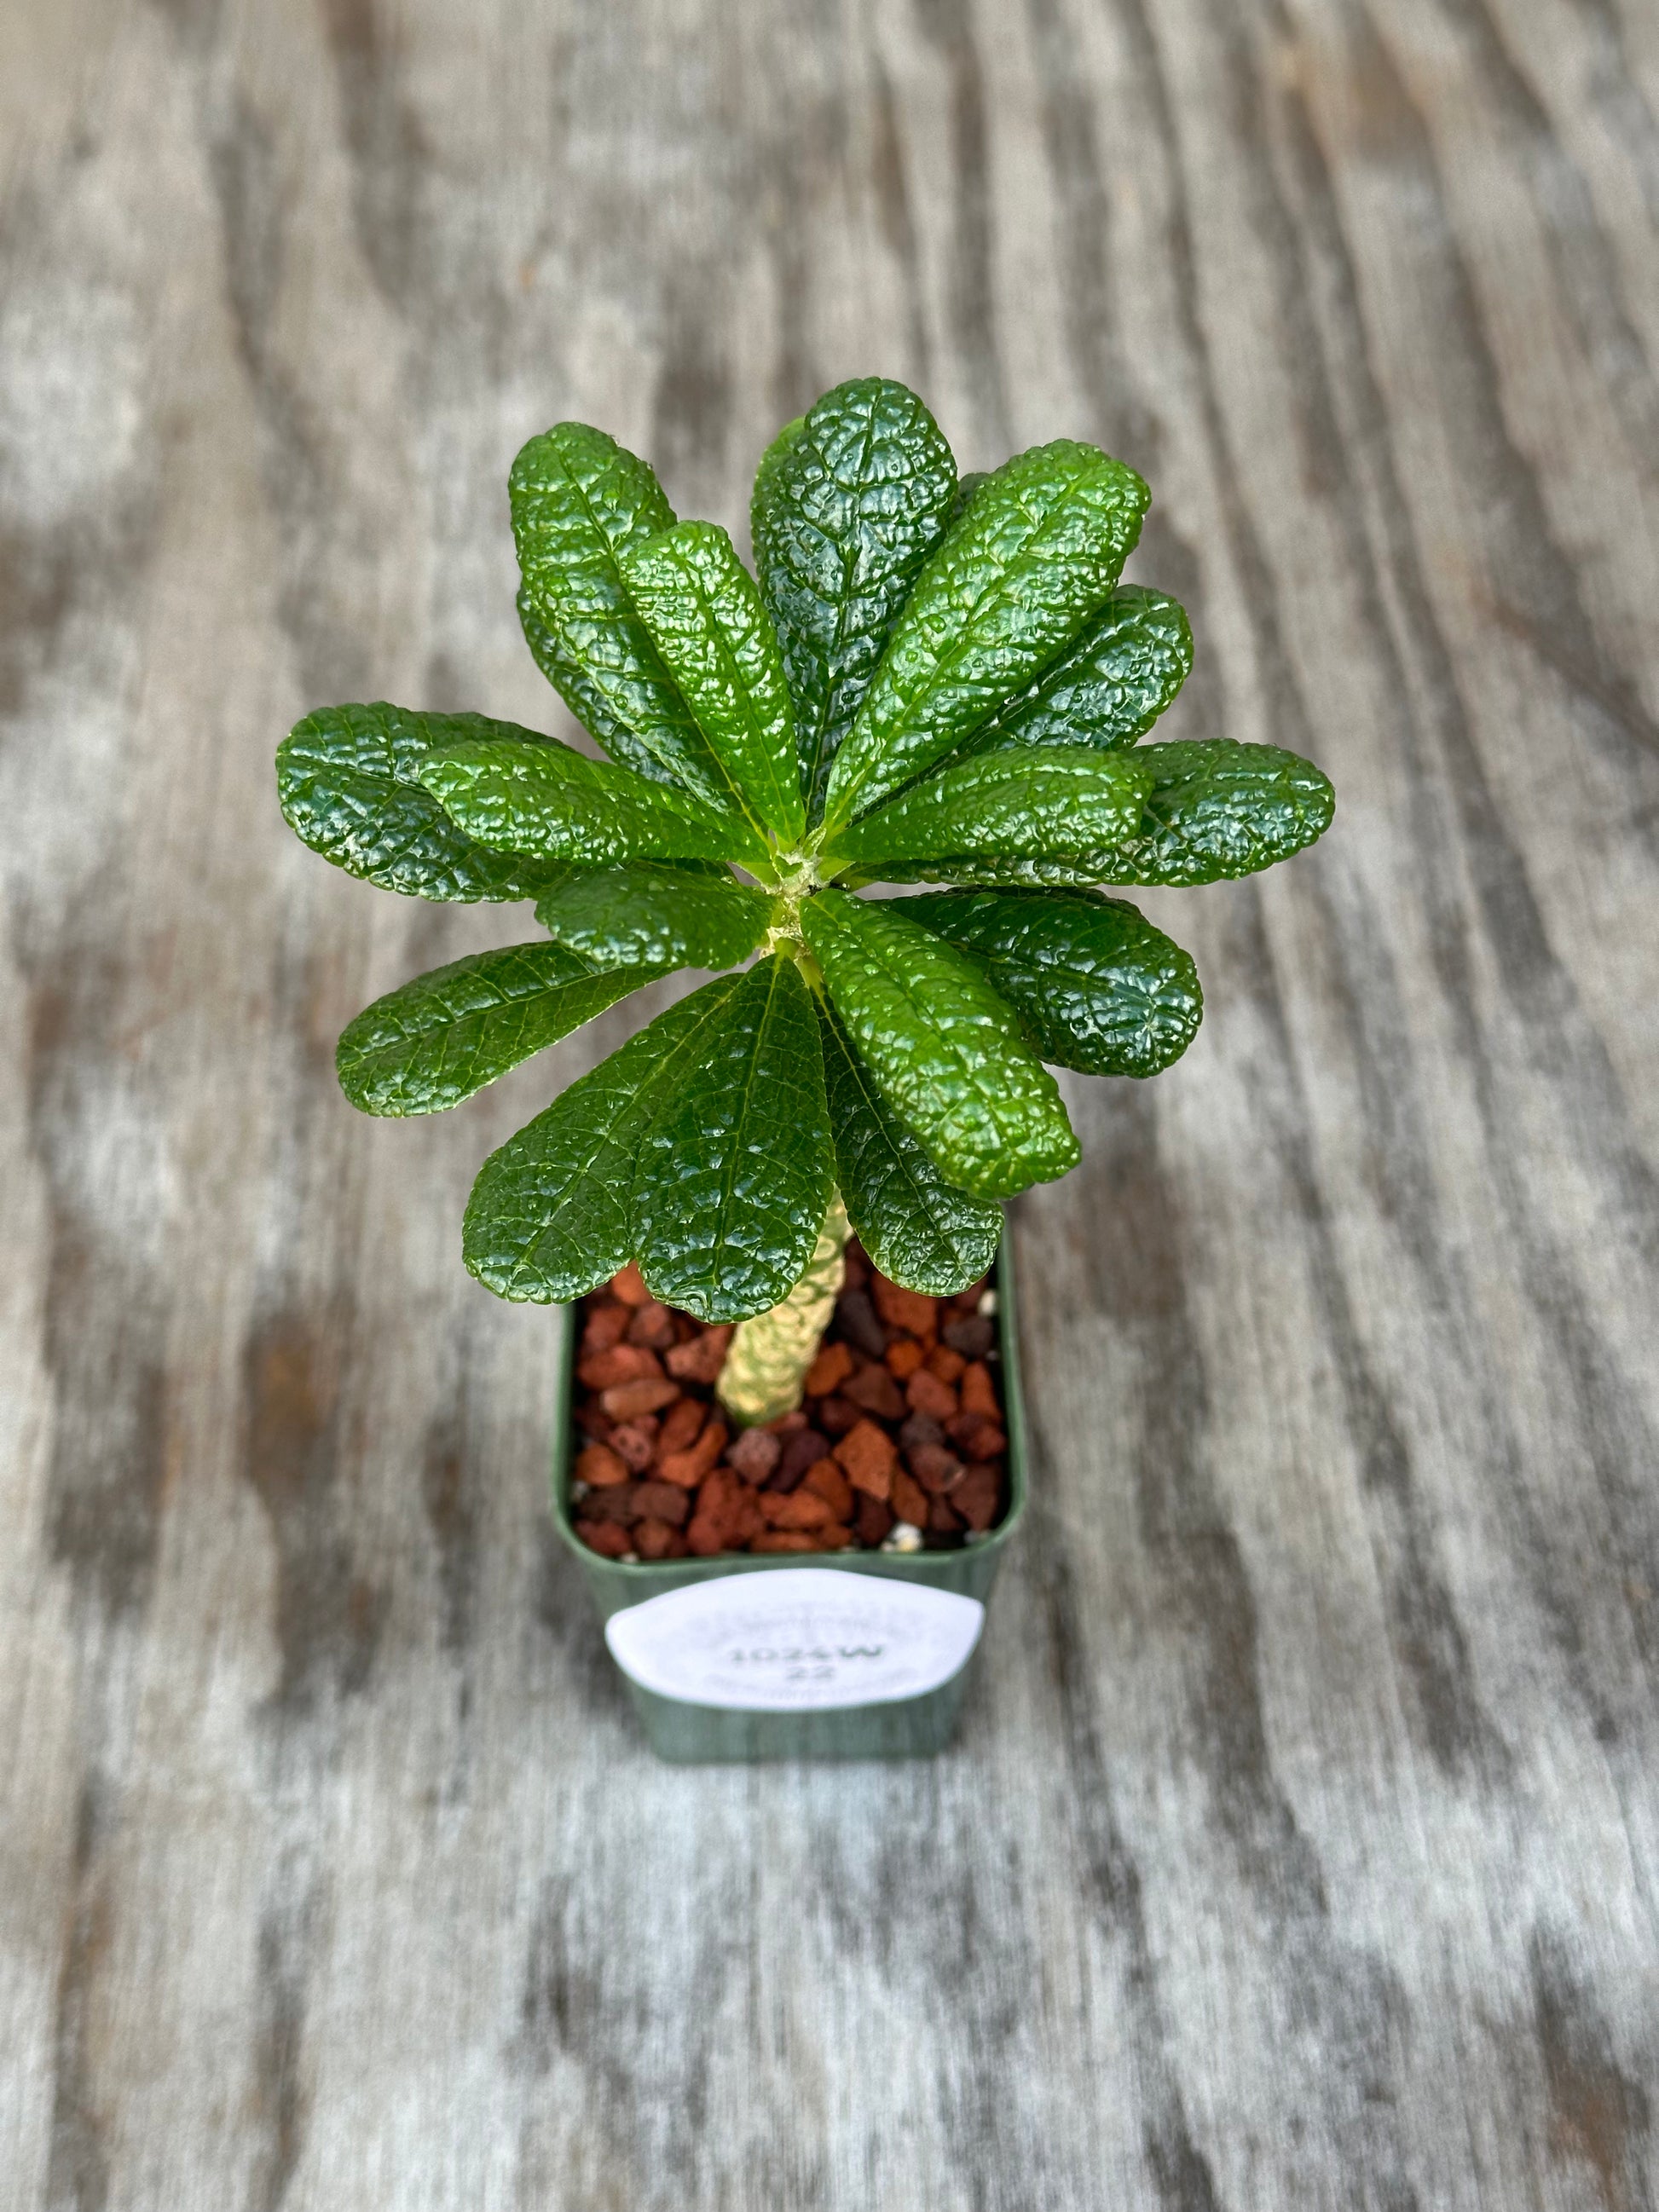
738 1171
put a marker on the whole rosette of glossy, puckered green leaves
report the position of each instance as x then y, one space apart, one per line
924 682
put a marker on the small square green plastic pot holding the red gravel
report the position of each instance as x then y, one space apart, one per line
904 1729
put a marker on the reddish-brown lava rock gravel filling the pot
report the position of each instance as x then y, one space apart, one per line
899 1441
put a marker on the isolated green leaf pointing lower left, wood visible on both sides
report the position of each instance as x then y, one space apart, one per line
448 1034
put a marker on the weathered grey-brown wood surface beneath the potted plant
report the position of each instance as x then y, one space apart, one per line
1304 1844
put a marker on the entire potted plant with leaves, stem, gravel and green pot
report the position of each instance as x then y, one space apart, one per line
926 682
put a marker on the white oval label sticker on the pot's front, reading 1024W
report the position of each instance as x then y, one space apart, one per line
795 1640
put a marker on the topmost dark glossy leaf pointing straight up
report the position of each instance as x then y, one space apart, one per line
848 505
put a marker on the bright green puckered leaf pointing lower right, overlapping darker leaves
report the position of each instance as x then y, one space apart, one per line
943 1047
